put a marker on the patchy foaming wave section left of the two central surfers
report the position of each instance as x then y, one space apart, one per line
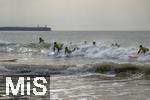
31 48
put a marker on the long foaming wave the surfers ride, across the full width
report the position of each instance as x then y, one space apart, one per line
101 51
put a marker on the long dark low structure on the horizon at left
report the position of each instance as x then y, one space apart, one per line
25 29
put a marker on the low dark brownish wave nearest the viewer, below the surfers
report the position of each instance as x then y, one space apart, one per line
115 69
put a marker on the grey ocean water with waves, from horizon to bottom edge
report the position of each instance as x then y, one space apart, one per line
91 72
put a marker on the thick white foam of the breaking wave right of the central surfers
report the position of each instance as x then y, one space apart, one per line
107 52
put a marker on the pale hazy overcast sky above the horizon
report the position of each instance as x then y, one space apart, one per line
77 14
